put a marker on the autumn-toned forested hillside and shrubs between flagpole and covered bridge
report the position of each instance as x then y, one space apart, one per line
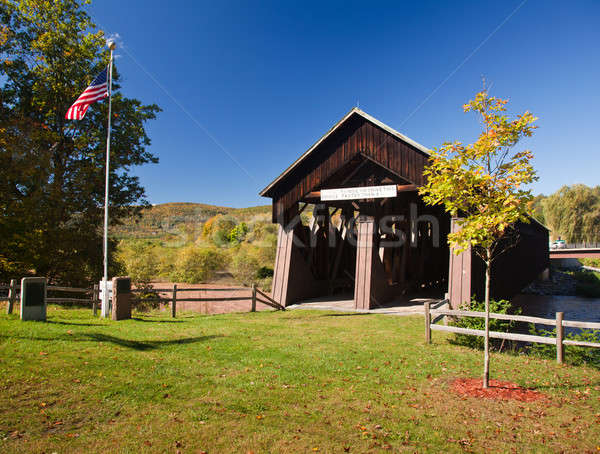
192 242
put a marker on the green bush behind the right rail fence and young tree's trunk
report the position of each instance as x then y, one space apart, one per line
498 307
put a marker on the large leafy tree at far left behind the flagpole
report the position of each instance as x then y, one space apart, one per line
52 169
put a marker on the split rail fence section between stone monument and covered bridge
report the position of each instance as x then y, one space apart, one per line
255 295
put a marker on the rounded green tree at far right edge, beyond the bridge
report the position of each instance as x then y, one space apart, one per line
573 212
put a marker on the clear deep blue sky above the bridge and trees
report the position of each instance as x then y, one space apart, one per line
264 80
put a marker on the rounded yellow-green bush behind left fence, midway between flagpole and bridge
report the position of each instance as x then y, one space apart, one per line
194 265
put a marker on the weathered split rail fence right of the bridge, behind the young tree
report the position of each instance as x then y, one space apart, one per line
558 322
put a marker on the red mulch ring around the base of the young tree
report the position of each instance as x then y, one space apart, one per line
501 390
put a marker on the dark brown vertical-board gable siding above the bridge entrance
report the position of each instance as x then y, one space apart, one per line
356 135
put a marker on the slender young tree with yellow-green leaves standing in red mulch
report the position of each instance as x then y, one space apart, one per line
485 185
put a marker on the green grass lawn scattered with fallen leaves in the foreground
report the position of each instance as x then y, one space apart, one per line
269 382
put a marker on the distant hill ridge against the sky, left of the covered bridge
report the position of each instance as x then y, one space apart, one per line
162 221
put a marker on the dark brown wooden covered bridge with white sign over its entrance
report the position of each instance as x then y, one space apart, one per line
370 234
